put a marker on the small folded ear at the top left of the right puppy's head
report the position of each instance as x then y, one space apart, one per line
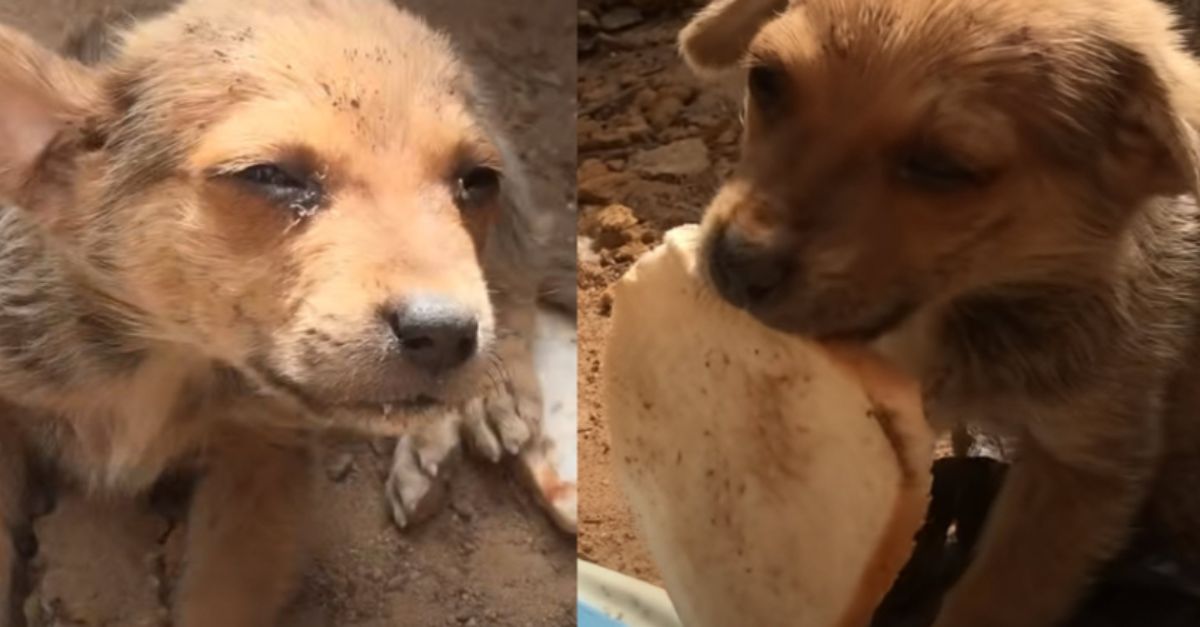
718 37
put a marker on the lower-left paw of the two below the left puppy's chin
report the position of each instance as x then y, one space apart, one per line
421 468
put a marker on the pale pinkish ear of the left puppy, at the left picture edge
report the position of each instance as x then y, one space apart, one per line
43 95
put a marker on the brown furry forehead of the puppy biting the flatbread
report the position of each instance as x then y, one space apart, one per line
1054 69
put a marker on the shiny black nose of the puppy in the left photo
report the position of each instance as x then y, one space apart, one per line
435 333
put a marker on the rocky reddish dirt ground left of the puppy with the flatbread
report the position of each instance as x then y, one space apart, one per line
653 145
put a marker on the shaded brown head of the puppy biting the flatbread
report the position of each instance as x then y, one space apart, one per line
899 153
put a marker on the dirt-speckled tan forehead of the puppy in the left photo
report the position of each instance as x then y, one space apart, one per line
367 70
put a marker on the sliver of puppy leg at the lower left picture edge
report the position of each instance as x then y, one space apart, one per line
13 513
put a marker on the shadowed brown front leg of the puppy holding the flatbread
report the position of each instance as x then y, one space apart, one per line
1069 505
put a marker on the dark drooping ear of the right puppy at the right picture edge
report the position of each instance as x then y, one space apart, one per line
1153 148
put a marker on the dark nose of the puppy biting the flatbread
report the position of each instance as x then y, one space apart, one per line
746 274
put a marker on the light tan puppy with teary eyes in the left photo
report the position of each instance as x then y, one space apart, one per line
255 220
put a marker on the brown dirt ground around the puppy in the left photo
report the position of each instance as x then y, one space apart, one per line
491 558
